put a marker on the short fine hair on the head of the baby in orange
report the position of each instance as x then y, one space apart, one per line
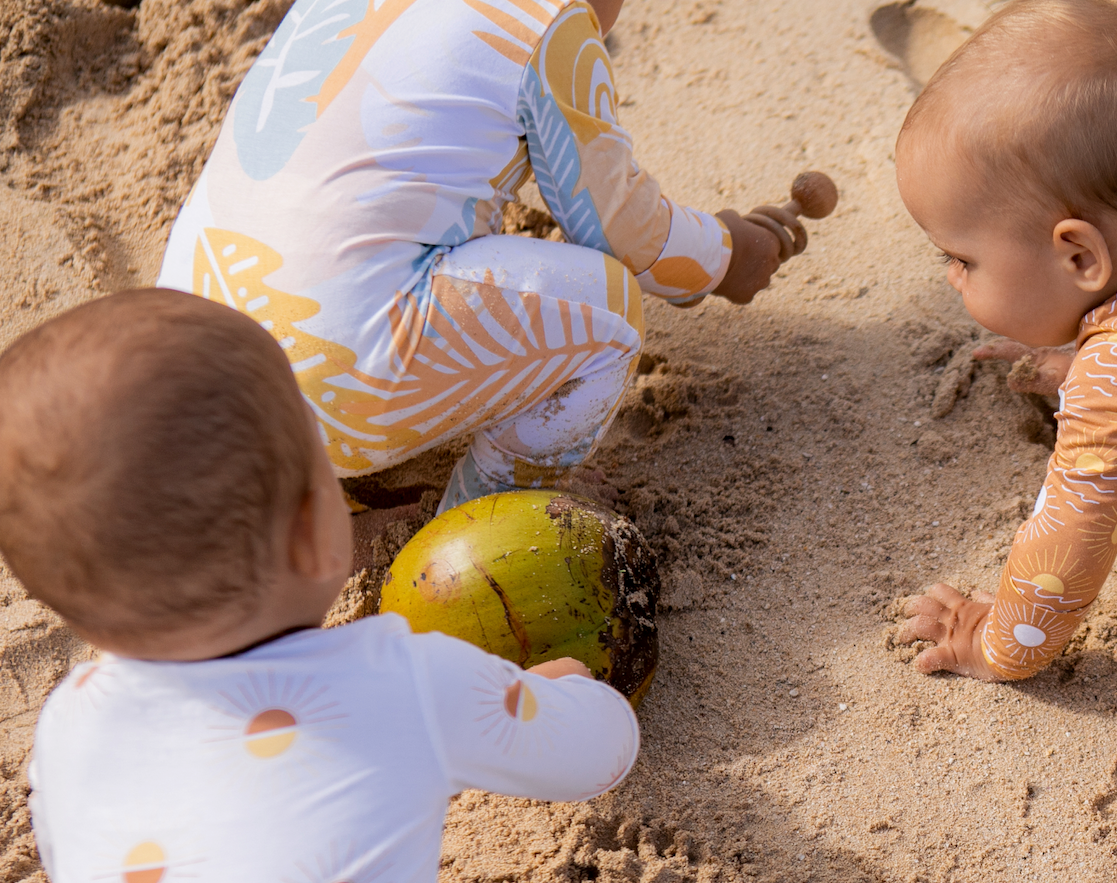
1032 101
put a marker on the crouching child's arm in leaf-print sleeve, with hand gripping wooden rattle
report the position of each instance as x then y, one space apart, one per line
600 198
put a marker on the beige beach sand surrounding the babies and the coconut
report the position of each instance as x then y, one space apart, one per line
799 465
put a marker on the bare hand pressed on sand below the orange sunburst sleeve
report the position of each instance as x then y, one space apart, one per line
954 623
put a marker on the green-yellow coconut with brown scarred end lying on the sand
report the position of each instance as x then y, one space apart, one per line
533 577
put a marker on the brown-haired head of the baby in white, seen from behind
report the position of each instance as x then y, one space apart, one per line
161 483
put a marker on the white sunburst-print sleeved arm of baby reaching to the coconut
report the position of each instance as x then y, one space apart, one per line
547 734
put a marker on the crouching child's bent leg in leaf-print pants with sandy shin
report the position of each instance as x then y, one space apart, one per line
570 324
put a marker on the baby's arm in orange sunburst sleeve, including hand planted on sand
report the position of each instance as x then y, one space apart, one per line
1062 555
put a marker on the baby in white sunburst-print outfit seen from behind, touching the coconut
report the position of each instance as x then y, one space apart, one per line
164 490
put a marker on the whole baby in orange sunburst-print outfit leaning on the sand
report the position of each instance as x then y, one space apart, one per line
1009 162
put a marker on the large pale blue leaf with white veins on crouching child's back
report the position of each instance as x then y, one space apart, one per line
273 112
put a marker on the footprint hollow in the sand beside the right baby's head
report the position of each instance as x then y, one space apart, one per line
920 37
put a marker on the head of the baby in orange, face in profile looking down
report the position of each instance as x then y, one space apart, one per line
1008 160
